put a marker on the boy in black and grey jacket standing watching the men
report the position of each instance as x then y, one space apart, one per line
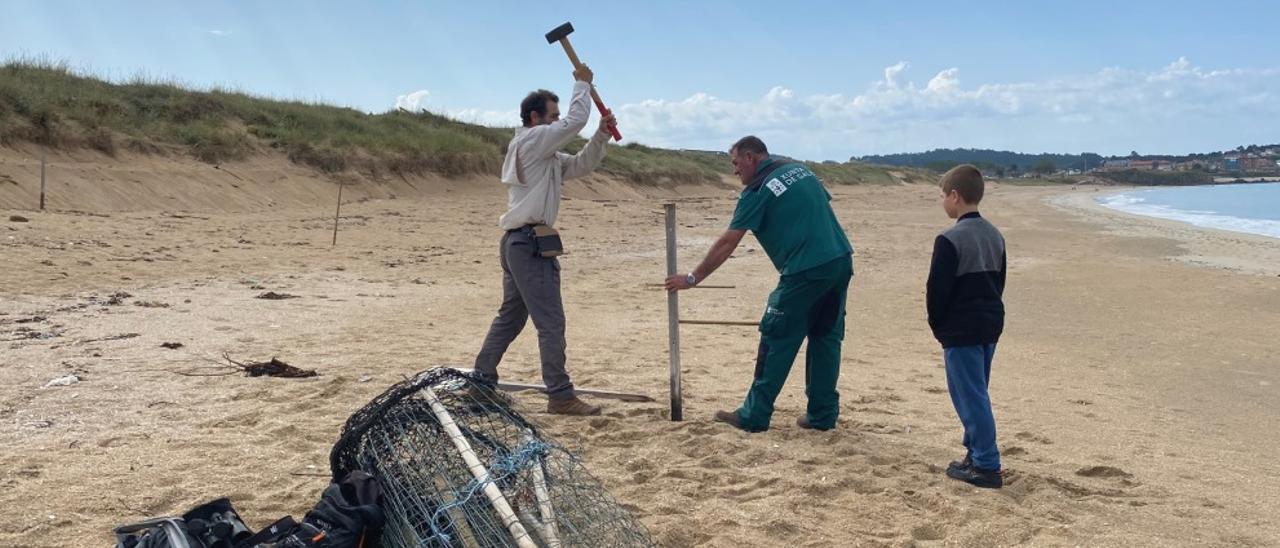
967 316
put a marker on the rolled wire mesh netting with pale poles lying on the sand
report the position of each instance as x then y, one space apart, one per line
520 490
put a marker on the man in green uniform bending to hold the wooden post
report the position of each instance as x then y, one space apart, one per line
789 211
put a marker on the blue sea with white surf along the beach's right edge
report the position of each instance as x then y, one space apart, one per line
1250 208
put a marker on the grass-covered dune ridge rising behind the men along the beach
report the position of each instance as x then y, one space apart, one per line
48 103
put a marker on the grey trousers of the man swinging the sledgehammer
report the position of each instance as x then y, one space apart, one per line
531 287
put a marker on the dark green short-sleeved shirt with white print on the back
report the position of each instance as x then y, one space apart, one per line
789 212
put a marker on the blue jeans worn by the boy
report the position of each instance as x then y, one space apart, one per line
968 377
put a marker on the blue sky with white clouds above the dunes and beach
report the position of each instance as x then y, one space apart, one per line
815 80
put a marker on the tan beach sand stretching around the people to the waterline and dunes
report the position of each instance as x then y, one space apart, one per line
1135 389
